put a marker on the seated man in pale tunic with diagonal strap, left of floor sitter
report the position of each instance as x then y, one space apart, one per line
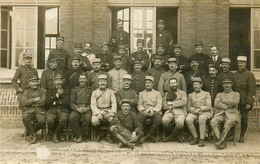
103 105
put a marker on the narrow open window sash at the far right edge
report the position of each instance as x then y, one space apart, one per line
255 39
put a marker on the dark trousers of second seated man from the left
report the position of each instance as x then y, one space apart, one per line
56 120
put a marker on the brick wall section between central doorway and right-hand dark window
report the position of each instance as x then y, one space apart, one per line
206 21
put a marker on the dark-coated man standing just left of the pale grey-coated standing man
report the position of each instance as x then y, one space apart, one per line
156 71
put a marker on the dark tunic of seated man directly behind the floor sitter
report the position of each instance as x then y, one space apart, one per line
127 94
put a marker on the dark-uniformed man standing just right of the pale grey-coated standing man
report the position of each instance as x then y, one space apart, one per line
194 72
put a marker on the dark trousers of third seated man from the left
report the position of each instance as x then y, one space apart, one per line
80 123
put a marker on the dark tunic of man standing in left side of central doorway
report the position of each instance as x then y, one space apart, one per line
119 37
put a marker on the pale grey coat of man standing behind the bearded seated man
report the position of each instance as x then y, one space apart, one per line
164 85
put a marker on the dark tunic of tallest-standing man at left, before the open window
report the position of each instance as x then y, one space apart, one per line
62 57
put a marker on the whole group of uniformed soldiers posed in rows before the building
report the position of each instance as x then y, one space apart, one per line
126 92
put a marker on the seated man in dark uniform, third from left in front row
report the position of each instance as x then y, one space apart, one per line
80 117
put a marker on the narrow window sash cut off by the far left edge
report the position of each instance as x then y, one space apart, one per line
5 38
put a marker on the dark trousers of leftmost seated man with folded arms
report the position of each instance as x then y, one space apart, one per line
33 121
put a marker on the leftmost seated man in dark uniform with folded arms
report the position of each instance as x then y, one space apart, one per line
34 107
